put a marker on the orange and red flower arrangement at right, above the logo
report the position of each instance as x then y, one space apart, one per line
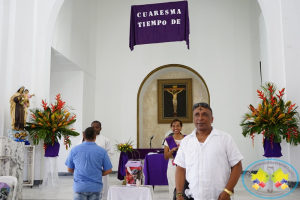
275 118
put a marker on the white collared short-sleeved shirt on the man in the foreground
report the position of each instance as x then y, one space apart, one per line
207 167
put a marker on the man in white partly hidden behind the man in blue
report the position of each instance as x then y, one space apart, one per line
103 142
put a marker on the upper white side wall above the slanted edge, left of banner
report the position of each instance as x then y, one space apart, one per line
74 33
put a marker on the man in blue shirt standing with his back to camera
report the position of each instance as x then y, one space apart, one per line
89 163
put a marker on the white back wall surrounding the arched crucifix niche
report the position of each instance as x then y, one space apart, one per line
222 52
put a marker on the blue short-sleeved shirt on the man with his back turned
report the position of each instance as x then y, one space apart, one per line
88 160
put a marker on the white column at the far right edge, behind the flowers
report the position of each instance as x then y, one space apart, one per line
291 37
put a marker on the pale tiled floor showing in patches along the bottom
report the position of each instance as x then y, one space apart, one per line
65 192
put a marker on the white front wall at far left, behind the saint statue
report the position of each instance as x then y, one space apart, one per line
26 29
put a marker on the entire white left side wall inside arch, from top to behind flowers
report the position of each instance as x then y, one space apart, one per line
74 38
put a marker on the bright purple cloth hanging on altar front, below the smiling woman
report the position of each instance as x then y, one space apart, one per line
155 170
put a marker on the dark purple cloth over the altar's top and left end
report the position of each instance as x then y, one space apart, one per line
134 155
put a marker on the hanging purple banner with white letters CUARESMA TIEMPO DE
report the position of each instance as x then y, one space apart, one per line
156 23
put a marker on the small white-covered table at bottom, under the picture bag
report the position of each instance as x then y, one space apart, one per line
144 192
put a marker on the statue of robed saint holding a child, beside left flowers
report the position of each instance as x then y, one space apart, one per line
17 109
